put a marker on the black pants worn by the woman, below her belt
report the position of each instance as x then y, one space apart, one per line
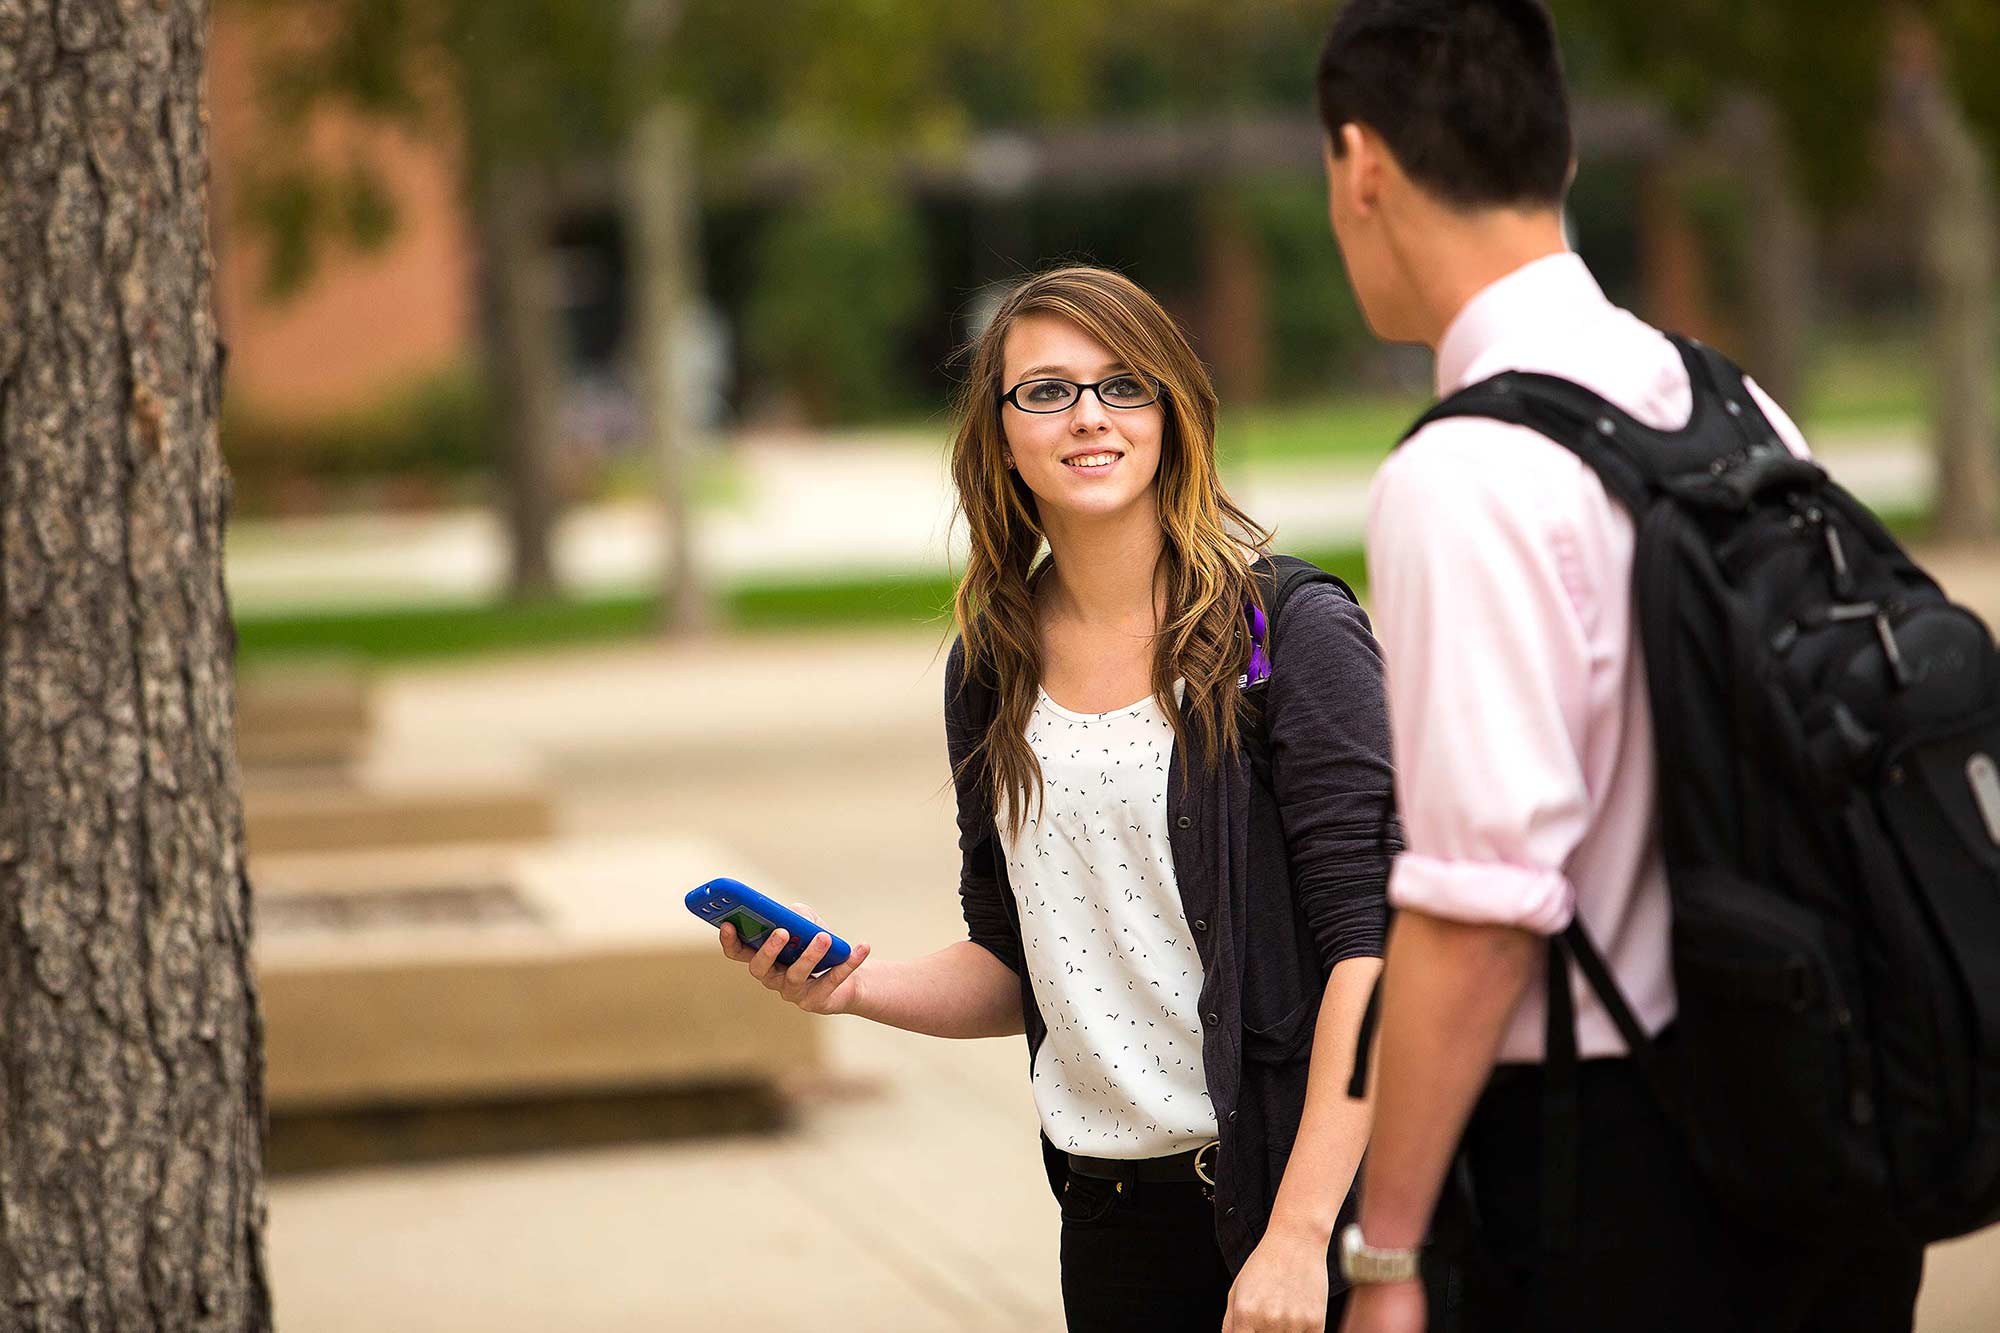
1147 1258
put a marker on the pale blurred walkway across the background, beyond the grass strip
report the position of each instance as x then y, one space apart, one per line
803 509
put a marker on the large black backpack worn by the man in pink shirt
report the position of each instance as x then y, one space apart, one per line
1829 778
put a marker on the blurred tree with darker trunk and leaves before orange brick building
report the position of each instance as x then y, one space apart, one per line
519 87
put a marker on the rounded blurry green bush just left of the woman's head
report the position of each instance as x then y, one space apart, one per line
839 283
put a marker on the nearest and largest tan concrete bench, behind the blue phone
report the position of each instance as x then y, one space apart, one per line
453 974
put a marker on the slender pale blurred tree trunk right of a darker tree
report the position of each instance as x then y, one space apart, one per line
661 223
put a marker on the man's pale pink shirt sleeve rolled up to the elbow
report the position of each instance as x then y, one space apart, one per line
1483 611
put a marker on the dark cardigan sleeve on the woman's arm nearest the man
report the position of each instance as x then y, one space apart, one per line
1331 770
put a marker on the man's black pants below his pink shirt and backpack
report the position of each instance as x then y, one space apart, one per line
1651 1250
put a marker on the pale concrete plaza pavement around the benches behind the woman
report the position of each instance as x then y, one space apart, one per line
909 1198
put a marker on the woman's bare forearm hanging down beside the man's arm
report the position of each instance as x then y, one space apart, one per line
1333 1134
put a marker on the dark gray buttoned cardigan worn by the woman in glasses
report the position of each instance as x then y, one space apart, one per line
1279 884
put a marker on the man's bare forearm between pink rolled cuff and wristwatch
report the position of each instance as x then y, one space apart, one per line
1449 992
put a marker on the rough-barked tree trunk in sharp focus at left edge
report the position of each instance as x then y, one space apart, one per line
131 1104
